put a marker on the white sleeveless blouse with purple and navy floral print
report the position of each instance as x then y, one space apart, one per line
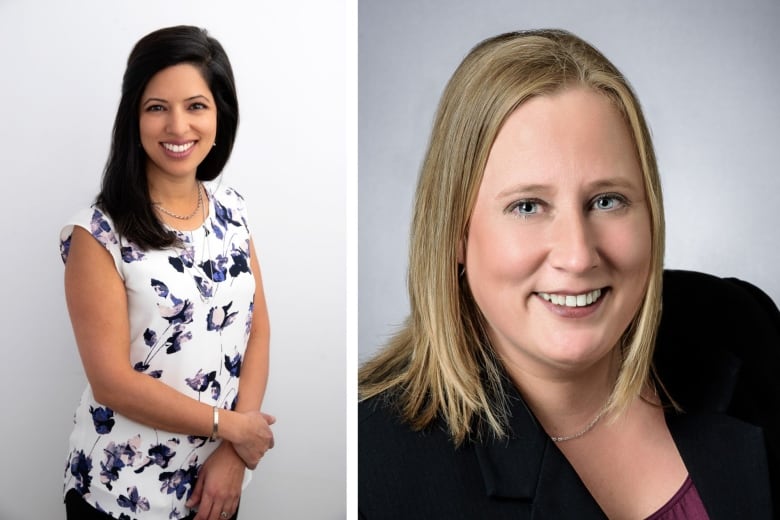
190 310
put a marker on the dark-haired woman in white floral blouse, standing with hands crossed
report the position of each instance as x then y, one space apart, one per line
166 300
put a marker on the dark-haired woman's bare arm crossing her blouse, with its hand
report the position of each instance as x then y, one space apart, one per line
97 303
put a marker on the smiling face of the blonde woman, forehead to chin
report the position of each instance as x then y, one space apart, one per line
559 243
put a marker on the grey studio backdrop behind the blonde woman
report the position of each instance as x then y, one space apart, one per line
705 72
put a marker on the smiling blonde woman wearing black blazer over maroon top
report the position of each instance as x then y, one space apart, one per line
535 376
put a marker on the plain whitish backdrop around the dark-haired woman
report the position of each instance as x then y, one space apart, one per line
60 73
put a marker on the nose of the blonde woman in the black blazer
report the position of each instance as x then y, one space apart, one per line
573 246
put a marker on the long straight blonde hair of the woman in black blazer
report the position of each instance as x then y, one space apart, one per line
441 363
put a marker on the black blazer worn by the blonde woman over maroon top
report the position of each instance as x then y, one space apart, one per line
718 353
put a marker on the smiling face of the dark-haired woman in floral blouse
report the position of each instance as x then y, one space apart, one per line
178 121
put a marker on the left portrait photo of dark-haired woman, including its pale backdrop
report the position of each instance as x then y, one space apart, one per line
177 329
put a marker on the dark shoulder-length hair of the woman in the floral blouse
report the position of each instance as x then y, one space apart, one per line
124 191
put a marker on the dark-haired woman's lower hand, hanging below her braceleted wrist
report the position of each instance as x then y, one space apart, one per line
218 487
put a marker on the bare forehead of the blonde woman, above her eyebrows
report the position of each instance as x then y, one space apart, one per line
577 132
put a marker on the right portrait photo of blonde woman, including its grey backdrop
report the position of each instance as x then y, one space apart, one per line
558 316
